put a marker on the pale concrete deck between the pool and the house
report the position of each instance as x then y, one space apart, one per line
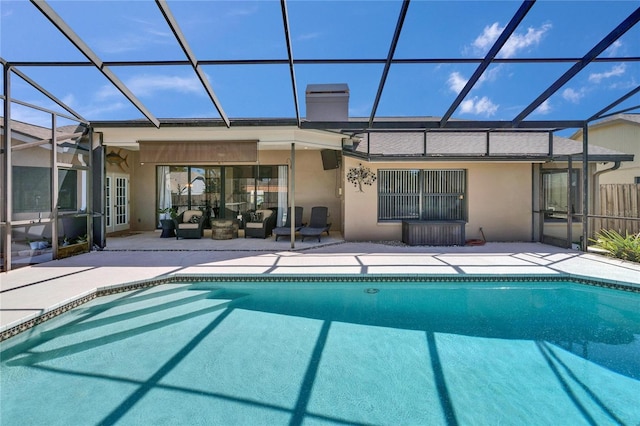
31 291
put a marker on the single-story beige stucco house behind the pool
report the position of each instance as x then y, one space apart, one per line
472 184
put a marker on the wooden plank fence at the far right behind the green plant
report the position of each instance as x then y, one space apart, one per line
619 209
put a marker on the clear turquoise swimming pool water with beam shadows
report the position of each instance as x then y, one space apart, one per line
332 353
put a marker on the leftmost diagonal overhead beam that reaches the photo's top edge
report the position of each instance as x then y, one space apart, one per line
77 41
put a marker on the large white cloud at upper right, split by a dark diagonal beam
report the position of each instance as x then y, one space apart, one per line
515 43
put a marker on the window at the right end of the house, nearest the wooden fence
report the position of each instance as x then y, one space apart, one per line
556 198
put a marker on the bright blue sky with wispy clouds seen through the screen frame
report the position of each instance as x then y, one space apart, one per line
236 30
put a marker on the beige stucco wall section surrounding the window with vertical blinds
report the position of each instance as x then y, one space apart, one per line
499 201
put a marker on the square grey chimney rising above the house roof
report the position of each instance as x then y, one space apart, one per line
327 102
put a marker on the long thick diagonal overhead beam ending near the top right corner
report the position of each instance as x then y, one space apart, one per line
617 32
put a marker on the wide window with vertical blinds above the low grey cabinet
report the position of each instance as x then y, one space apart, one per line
422 194
